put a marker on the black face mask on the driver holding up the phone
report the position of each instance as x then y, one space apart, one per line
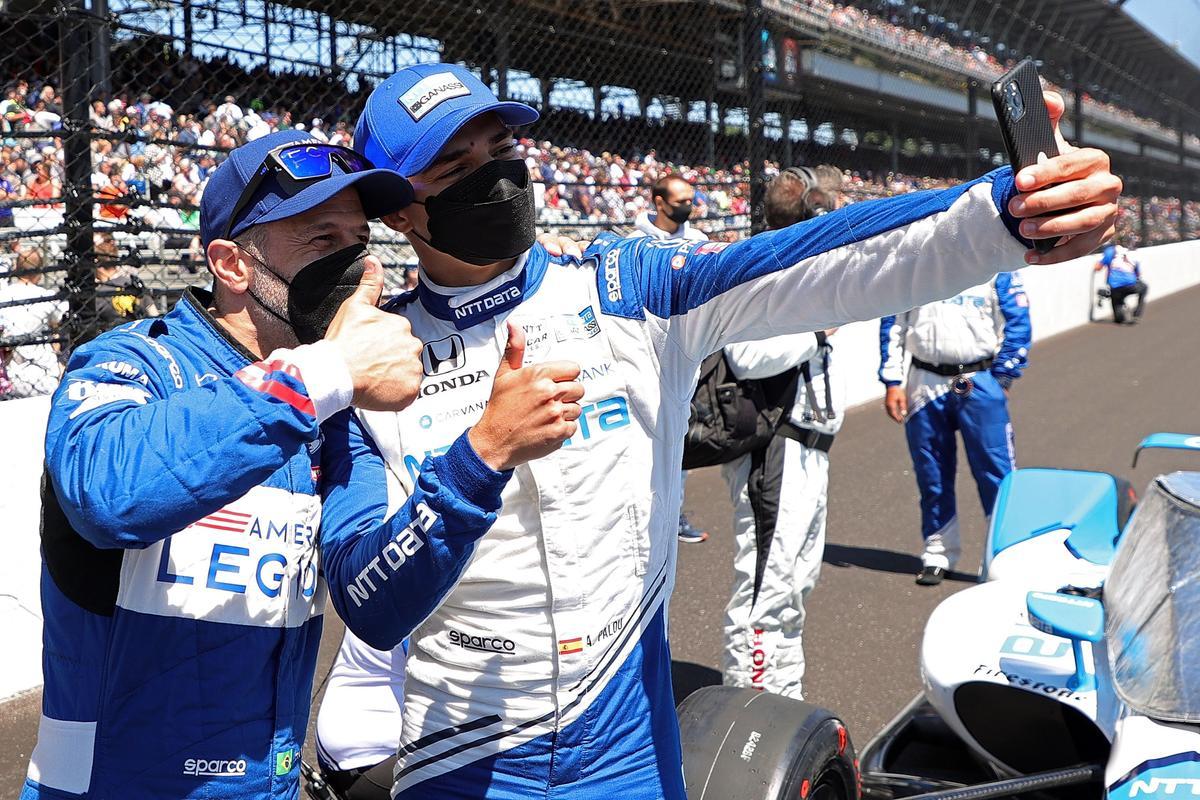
484 218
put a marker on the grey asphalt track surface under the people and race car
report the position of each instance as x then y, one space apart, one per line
1087 401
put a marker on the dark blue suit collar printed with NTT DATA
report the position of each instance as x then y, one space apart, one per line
470 306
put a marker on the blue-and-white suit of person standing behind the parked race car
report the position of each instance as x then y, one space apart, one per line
987 323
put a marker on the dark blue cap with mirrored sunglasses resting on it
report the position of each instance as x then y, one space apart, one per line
382 191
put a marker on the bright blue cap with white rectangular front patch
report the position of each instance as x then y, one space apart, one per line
415 113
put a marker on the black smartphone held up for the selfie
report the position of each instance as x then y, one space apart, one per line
1025 123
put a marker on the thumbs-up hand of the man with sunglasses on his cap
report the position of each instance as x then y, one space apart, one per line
383 356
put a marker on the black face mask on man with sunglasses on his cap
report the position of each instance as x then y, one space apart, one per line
319 291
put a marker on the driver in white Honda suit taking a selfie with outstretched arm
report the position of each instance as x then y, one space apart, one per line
547 670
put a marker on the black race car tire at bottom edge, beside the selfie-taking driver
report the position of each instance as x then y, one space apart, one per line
740 744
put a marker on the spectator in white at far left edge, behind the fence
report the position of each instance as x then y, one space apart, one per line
33 370
